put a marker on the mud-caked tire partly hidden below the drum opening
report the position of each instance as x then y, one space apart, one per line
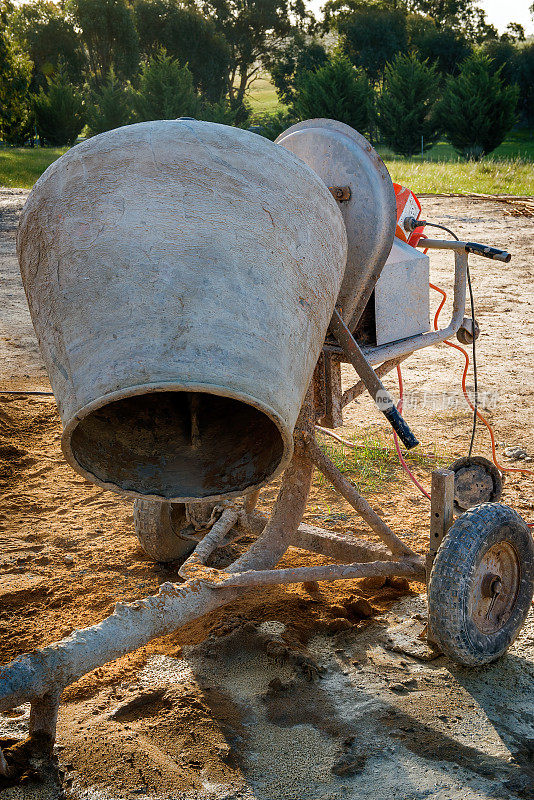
156 524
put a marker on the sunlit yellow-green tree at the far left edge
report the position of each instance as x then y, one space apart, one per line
16 118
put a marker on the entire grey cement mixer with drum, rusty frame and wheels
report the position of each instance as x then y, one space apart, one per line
194 289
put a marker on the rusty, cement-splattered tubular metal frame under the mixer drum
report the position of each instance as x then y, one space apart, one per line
40 677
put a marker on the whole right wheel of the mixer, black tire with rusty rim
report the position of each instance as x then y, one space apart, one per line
481 584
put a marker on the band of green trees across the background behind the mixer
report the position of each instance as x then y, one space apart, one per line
404 72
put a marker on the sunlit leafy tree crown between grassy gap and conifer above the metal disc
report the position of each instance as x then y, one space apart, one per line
299 54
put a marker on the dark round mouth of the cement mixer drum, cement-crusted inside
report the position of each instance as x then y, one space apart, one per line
177 445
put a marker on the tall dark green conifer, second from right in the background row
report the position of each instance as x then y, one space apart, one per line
407 105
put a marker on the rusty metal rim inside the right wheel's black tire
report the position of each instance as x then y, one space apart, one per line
495 588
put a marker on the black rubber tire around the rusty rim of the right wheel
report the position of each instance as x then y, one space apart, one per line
451 578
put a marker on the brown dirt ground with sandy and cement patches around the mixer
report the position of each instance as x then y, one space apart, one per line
209 712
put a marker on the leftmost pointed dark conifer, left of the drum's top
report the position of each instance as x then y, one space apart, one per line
60 112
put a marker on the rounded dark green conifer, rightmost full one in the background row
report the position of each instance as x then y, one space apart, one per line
478 108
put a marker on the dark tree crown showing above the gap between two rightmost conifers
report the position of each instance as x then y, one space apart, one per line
448 48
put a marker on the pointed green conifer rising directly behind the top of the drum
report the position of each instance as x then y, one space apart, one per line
166 90
